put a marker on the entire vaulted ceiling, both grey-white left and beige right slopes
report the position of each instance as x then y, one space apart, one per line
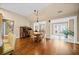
46 10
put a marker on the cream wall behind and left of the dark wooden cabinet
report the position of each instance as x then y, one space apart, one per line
18 20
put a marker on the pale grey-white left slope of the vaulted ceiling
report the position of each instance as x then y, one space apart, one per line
23 8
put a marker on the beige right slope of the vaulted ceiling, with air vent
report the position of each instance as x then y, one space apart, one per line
57 10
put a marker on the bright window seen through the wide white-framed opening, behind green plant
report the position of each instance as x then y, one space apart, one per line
59 27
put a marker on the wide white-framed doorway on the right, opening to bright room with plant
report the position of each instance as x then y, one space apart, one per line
57 27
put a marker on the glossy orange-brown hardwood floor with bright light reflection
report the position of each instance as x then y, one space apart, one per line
50 47
